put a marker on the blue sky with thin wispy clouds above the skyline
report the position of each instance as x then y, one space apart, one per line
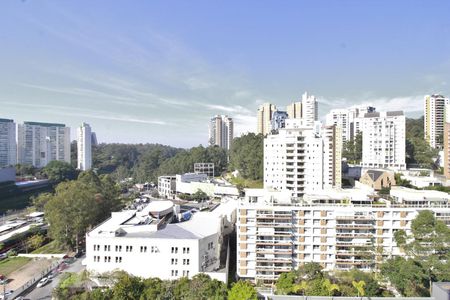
157 71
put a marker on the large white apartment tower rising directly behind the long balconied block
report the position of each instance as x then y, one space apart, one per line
302 159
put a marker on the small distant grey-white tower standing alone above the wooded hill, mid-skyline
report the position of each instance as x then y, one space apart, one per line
221 131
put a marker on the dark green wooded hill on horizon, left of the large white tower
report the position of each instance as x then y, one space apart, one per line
145 162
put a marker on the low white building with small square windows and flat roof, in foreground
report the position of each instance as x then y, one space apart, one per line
145 243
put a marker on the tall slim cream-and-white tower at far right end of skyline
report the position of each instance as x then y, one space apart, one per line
434 119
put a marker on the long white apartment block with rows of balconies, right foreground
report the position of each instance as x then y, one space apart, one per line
277 234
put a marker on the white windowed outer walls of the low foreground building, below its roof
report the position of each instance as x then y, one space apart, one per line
158 259
